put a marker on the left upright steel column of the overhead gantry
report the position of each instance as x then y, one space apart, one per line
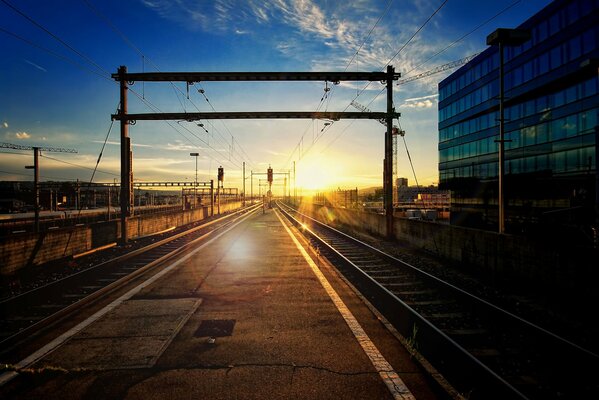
125 157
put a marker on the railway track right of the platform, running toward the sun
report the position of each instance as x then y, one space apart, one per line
484 351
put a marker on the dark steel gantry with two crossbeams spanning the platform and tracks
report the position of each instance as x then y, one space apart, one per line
125 78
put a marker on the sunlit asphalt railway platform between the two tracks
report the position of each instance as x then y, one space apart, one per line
249 313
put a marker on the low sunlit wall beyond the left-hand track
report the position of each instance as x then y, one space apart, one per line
21 250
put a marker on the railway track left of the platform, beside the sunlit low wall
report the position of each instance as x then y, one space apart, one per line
28 313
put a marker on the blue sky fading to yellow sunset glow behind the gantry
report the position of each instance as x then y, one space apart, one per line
57 58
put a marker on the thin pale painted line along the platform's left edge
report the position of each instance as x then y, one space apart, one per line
59 341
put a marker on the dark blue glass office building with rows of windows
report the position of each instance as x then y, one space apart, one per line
551 112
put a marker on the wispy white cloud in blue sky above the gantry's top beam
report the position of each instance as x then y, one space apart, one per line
323 34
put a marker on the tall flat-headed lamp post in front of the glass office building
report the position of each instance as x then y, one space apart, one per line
504 37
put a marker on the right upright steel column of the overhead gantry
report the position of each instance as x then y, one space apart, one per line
388 182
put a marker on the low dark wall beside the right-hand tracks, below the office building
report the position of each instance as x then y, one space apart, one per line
506 259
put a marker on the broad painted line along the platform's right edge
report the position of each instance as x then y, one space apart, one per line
396 386
